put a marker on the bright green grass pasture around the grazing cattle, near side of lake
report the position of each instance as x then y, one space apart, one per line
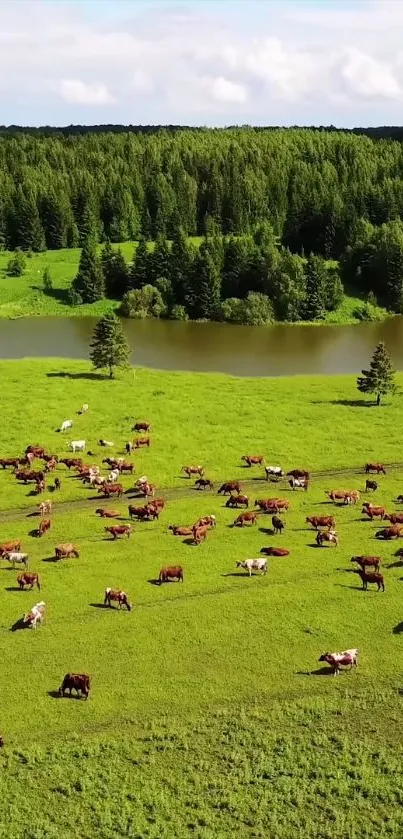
206 716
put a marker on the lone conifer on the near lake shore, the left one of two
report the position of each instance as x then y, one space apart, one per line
109 347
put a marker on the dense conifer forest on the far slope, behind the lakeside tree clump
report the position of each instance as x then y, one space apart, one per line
334 194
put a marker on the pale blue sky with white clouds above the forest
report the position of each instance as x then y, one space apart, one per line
201 62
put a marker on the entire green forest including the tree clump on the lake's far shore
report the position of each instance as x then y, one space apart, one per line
288 217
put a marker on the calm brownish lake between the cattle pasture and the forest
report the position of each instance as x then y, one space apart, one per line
278 350
